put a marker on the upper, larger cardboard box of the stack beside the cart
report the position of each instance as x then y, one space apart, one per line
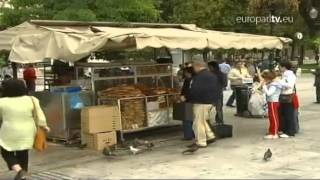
98 119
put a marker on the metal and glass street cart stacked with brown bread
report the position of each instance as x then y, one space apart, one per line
115 84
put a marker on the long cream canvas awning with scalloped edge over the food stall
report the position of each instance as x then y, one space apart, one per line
29 43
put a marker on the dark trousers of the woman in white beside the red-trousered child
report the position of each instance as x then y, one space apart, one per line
288 120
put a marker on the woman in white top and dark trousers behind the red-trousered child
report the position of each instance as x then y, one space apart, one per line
286 99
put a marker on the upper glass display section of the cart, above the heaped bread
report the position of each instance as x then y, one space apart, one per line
106 75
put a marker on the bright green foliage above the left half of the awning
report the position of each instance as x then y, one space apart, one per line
82 10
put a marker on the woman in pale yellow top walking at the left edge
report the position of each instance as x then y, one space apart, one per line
21 115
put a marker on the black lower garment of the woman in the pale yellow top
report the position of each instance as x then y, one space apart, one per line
16 157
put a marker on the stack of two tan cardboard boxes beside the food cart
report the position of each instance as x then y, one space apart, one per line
99 125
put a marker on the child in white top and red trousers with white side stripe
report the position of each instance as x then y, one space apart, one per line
272 89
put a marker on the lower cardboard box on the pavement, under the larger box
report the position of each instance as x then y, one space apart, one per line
99 141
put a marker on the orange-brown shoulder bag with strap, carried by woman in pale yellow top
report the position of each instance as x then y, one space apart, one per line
40 140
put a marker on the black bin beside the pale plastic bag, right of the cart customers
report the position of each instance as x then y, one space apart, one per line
242 99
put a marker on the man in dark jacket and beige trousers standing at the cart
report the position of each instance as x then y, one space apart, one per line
203 94
